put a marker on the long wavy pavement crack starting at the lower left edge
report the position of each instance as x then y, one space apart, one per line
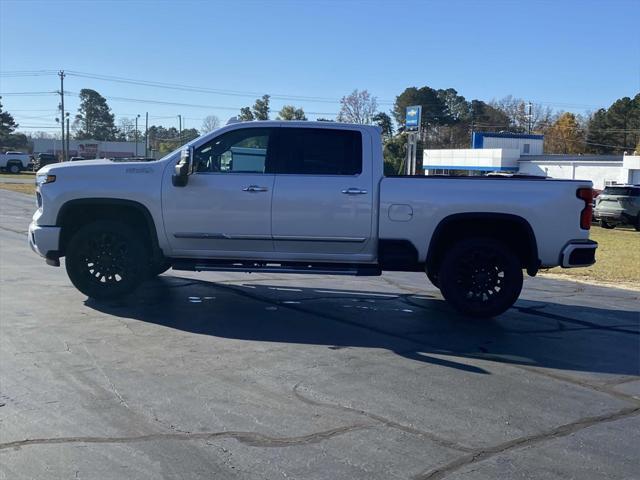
252 439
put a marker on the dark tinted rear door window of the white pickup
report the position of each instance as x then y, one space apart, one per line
320 151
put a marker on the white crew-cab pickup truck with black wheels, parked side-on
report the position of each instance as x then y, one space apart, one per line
305 197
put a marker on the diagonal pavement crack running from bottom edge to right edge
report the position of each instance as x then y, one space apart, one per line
558 432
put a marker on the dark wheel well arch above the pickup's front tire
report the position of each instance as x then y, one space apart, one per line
76 213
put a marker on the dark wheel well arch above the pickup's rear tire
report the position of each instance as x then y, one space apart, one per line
513 230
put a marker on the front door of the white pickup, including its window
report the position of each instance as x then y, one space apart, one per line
225 209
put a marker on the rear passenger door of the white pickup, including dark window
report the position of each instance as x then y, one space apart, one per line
323 195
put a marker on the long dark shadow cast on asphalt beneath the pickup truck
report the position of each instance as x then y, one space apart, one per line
420 327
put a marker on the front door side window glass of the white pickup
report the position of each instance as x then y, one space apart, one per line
239 151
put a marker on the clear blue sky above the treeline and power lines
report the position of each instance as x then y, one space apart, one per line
570 55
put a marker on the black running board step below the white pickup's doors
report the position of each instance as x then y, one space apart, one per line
200 265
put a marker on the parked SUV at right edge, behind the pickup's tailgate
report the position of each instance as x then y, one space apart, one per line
618 205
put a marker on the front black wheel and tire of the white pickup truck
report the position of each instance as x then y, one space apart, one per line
106 259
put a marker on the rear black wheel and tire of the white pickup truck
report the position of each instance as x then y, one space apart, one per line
480 277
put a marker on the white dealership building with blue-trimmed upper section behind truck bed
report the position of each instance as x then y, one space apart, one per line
523 154
